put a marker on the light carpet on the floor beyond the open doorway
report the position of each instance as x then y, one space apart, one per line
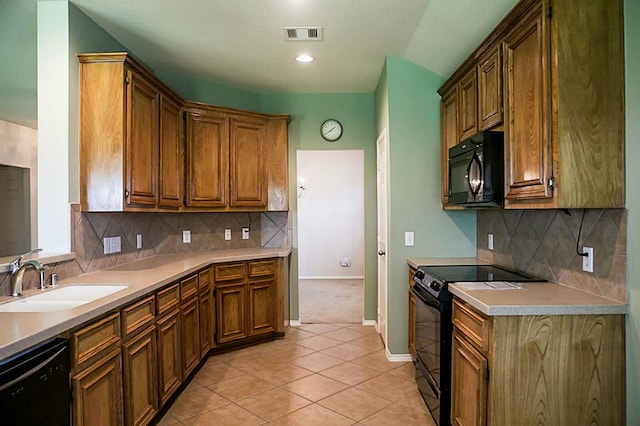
331 301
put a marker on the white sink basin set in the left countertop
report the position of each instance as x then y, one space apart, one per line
63 298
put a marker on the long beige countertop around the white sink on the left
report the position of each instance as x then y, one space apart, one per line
22 330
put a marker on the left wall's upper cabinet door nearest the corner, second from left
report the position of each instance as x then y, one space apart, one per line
171 154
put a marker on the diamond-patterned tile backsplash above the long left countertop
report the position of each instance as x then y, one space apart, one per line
161 234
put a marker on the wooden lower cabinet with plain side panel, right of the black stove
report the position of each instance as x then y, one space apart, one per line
537 369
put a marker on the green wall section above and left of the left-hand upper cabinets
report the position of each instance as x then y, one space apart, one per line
85 36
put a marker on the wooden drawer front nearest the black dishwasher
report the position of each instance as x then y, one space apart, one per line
87 343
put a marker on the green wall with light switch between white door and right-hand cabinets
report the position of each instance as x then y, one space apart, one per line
414 152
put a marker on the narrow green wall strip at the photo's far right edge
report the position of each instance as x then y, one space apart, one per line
632 71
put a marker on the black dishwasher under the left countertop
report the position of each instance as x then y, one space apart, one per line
34 386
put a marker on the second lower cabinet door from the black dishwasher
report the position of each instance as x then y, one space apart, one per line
140 380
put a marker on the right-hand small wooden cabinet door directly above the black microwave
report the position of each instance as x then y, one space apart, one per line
490 89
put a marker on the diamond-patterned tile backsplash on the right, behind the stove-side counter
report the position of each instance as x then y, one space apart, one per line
543 243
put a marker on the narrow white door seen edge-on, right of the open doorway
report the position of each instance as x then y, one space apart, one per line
382 147
